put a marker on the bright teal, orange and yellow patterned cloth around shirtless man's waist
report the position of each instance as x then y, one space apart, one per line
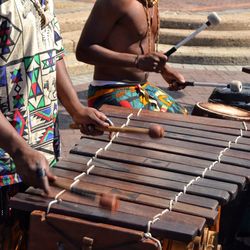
145 96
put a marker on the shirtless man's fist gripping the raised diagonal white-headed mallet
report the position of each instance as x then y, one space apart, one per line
153 62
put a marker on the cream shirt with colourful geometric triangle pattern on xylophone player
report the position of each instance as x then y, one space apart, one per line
28 97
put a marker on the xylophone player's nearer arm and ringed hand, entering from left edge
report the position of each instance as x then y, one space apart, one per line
26 159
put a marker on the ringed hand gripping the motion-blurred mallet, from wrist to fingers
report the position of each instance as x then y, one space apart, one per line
33 168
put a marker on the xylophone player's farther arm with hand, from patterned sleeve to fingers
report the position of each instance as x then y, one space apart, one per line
68 97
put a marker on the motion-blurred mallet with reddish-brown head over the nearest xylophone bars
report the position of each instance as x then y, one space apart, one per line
107 200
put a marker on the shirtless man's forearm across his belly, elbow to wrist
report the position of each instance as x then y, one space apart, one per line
100 56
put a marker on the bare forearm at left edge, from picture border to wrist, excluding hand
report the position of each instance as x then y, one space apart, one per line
10 140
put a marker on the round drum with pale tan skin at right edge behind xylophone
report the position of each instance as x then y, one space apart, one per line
222 111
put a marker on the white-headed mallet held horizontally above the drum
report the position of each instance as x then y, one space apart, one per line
234 86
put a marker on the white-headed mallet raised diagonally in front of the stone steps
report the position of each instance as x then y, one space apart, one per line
213 19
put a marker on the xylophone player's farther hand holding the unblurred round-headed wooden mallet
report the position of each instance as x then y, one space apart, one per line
89 118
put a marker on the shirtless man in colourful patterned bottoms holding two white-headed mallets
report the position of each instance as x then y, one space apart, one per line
122 49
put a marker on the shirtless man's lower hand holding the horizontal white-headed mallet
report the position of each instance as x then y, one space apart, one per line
175 80
